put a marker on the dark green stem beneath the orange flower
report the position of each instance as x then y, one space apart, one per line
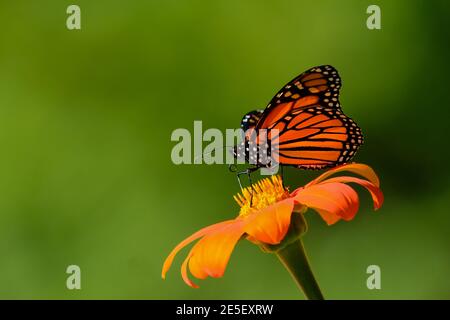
294 258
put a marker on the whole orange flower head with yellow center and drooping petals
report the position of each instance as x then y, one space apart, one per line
265 218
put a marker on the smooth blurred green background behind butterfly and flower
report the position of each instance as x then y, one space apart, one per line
86 117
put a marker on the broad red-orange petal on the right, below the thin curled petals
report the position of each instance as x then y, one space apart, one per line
331 200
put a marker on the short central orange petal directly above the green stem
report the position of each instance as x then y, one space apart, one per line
270 225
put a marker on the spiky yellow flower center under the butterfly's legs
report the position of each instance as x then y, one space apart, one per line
261 195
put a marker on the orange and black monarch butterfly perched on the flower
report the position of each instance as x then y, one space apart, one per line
313 132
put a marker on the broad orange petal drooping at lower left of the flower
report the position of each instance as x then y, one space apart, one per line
210 256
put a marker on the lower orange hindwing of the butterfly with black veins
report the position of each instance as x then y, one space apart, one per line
317 137
